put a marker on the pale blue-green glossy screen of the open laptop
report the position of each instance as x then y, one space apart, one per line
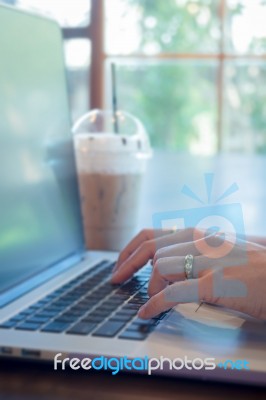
40 222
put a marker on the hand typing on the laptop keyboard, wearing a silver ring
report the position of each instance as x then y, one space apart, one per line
225 273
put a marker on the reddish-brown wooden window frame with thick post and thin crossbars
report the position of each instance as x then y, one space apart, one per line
95 32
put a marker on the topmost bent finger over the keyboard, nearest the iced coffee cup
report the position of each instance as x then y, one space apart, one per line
144 235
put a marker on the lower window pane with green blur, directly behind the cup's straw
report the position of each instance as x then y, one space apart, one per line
175 100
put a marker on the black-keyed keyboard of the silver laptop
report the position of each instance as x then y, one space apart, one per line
90 305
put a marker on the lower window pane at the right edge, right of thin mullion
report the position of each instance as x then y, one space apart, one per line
245 111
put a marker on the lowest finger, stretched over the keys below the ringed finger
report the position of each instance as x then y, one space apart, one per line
189 291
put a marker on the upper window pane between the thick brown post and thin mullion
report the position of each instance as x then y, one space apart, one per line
152 26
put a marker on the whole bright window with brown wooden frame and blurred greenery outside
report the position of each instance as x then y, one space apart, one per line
192 70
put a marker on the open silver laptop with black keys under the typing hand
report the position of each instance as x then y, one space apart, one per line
56 299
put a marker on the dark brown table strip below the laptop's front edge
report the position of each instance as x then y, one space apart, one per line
27 381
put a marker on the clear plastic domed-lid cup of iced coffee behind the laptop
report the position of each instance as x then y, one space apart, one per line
111 153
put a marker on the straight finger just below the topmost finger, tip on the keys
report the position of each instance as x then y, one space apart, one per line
138 259
